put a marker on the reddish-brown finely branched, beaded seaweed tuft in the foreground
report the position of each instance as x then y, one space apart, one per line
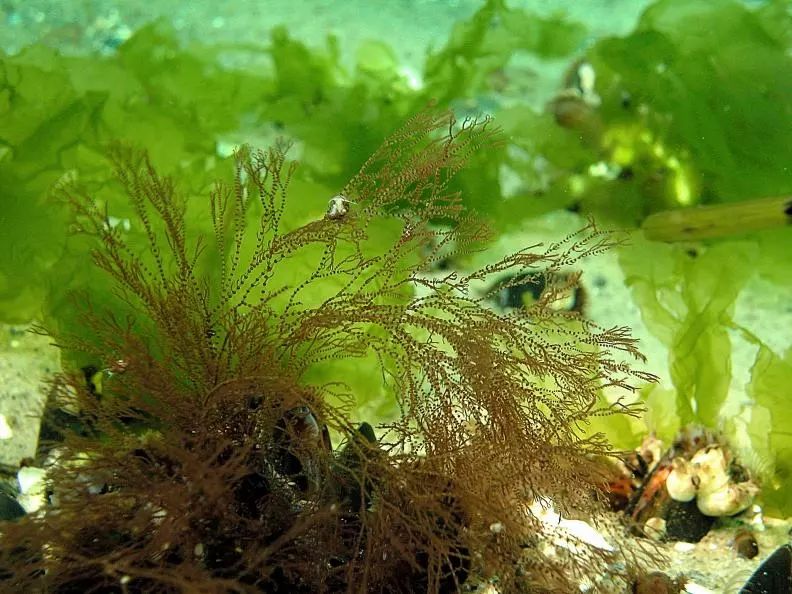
206 465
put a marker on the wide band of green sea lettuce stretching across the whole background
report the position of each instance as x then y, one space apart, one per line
670 97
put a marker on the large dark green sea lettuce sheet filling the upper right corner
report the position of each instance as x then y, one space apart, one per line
718 96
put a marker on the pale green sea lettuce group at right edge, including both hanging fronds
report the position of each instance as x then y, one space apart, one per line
687 300
